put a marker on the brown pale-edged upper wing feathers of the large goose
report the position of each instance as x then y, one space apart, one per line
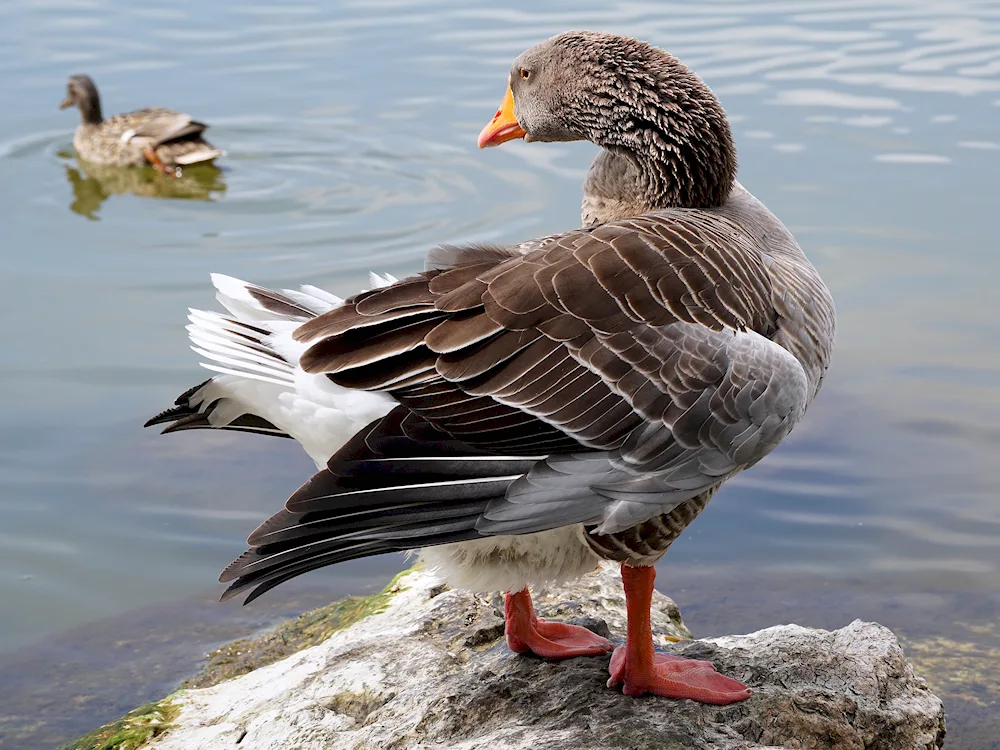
557 348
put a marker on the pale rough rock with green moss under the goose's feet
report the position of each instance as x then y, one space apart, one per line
432 671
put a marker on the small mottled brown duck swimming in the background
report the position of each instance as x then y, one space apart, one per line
163 138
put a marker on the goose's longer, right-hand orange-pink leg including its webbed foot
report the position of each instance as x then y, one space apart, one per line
640 670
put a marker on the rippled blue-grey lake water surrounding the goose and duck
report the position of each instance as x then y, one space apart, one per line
872 128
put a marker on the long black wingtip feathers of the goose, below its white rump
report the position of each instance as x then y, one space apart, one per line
385 491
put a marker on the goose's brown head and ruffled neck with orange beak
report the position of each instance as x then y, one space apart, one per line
661 125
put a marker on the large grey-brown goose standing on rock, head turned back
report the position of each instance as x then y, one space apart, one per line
520 414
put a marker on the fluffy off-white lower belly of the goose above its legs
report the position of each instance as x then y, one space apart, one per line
511 563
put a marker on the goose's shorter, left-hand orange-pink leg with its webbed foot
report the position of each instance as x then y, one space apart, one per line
550 640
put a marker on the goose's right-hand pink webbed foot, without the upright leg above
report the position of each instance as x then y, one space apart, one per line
675 677
